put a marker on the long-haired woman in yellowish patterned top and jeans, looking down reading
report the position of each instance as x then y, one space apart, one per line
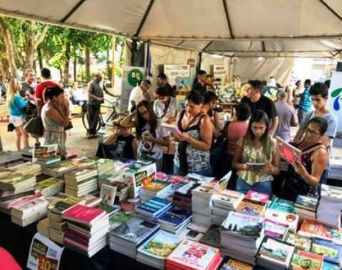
256 157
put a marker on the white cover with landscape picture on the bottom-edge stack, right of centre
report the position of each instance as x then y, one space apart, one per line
276 251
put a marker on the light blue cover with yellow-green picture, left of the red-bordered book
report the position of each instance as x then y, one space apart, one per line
160 245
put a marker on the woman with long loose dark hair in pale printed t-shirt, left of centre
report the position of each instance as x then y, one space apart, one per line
149 132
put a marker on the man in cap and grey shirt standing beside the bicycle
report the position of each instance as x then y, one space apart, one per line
95 98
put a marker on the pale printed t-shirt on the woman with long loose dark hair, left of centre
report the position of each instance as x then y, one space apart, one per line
149 149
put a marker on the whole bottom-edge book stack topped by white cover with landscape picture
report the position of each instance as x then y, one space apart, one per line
274 254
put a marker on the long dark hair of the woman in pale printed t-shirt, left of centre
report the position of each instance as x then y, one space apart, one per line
141 122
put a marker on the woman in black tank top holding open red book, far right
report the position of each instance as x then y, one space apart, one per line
303 177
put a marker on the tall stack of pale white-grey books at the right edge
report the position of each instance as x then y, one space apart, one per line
329 206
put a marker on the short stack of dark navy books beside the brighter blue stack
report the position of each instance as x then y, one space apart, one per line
174 220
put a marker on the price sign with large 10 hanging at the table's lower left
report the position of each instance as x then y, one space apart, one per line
44 254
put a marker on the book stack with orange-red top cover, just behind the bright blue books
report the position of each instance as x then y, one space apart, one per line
155 188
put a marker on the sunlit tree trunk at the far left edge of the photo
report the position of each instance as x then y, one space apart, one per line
9 48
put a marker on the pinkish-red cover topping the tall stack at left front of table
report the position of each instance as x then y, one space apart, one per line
83 213
